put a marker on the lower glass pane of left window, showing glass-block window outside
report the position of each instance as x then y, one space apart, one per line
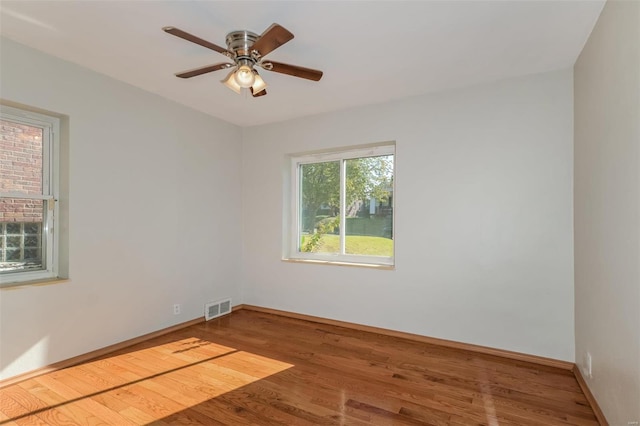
21 224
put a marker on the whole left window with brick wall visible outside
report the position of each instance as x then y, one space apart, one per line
28 192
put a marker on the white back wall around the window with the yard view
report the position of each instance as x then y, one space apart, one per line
483 217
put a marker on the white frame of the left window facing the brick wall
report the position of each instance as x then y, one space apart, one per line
50 126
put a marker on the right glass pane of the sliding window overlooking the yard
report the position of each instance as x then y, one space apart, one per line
369 206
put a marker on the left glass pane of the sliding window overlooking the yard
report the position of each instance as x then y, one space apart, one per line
320 207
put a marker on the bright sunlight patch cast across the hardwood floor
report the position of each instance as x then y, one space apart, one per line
179 374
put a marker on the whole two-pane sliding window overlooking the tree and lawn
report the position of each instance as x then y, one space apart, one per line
343 206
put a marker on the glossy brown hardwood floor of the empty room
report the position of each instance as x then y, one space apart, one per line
262 369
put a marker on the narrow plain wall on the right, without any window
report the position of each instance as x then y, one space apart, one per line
607 210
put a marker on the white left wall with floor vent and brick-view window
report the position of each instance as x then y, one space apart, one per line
154 197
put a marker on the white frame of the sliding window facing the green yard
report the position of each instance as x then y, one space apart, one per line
293 252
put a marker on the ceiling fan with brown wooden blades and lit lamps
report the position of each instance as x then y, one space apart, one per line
247 51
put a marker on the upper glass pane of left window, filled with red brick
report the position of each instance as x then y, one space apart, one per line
21 151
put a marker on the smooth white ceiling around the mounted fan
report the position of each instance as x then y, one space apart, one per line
370 51
